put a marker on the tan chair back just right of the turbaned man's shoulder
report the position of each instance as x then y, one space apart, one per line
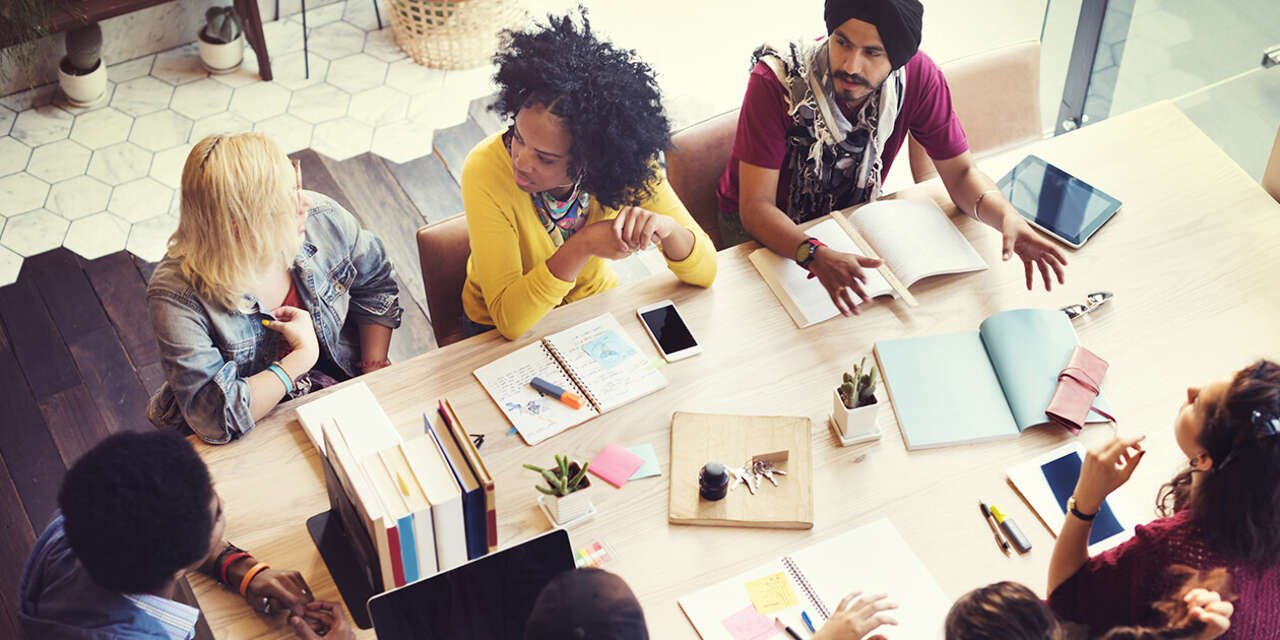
996 97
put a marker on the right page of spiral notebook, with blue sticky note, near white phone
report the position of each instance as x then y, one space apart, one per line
609 367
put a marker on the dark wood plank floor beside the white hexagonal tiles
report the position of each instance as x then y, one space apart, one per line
79 359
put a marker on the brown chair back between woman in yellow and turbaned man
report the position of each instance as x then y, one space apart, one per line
696 163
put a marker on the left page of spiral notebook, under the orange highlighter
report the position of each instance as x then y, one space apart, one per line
536 417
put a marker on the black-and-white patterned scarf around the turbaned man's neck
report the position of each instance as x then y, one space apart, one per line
831 162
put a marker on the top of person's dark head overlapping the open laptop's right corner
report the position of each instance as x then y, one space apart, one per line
587 605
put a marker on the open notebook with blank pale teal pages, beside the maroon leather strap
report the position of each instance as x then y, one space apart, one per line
980 386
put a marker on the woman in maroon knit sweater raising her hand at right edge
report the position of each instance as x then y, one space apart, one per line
1223 511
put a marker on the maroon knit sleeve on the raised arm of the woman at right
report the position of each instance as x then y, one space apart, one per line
1119 586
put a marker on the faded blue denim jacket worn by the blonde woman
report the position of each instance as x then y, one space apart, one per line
344 278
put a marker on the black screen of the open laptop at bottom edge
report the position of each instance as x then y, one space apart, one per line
488 598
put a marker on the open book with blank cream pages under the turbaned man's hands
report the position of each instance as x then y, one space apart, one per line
913 237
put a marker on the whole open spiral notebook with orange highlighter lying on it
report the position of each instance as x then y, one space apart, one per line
596 360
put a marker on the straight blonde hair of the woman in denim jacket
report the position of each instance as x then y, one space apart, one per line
239 216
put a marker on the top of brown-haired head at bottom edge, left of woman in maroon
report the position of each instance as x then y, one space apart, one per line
1009 611
